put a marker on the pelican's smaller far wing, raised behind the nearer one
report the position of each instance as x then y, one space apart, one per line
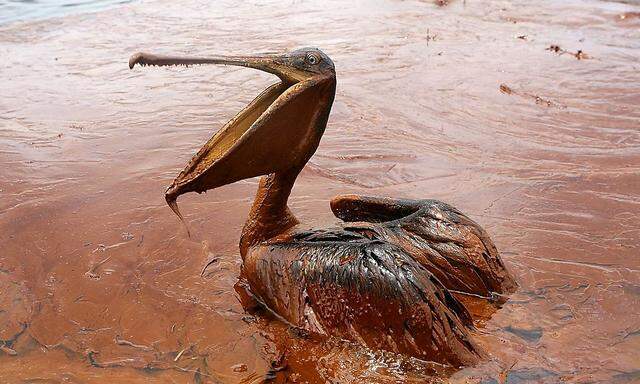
441 238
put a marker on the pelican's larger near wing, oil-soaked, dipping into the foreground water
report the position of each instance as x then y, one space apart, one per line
342 283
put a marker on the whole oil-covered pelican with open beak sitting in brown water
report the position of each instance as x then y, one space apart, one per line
384 277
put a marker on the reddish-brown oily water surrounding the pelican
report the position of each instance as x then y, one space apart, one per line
460 101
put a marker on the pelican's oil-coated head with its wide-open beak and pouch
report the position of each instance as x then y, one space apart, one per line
276 133
